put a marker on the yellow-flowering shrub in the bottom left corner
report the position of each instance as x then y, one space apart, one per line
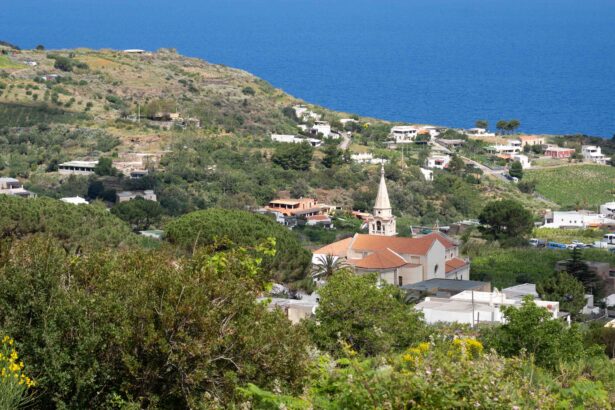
13 381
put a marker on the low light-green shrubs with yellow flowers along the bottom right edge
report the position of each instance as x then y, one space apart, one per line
442 374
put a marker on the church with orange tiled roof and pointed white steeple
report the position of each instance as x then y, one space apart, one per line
398 261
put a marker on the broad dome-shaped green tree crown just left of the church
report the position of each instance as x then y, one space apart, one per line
212 227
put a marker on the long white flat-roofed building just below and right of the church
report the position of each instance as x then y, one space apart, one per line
472 307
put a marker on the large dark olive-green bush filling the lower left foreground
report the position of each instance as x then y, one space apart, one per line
143 328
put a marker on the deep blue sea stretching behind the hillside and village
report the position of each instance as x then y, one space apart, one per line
548 63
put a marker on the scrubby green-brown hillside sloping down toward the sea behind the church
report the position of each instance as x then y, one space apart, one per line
63 105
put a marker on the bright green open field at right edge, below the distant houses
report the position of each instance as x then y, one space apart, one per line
584 185
